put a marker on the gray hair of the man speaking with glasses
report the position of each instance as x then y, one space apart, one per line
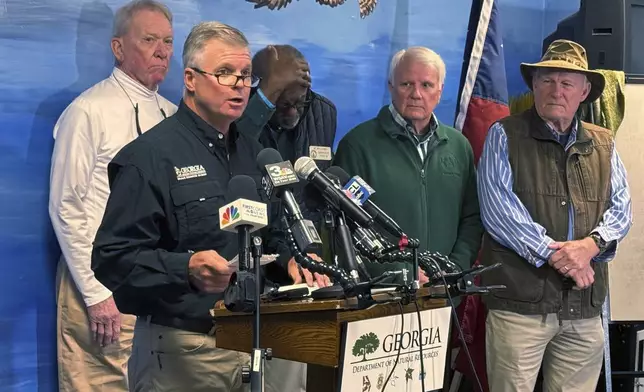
205 32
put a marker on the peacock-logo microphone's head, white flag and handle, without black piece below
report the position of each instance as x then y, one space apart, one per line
244 215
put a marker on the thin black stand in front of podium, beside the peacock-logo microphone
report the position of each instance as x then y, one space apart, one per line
259 354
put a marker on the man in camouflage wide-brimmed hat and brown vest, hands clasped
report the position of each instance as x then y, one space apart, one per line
555 203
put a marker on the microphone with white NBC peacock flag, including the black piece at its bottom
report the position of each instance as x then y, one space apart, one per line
244 215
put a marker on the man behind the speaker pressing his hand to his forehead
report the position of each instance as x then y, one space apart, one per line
283 111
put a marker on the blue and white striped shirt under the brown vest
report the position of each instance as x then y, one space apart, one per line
509 222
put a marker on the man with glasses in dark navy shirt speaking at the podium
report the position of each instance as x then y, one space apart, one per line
160 248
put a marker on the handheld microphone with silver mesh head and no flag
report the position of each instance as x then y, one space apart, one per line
306 169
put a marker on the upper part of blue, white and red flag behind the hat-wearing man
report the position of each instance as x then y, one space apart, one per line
483 90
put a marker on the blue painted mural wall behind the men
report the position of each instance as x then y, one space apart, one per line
51 50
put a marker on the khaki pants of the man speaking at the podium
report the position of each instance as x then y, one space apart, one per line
166 359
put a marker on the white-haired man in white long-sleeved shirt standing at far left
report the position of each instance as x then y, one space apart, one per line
94 338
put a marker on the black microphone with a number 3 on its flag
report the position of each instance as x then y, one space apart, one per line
278 177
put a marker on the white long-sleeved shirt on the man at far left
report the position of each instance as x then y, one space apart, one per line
89 133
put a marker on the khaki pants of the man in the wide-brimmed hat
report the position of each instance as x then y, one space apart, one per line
516 345
